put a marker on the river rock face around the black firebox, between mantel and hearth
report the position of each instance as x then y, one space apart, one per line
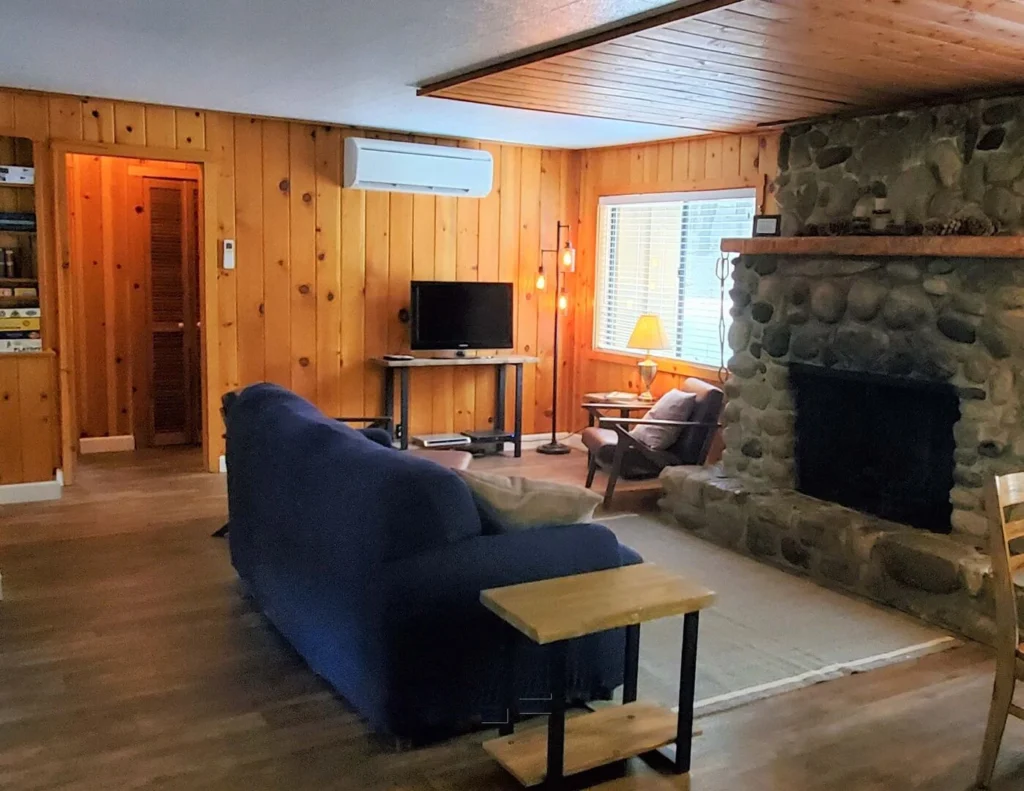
956 321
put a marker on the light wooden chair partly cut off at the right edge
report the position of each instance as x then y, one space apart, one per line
1005 492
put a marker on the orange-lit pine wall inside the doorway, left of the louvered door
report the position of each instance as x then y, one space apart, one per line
110 285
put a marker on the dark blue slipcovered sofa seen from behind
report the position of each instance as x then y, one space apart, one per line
370 563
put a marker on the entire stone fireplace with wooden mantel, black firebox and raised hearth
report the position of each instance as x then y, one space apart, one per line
877 384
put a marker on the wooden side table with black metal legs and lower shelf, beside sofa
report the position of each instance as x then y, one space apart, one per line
557 611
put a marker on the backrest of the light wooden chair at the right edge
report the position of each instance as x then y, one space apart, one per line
1006 492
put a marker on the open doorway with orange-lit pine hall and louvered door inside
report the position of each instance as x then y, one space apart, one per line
134 228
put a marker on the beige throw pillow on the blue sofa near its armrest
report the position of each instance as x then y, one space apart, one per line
524 504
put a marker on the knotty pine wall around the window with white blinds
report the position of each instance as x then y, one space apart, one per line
707 163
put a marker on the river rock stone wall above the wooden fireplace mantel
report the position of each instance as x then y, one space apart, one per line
931 163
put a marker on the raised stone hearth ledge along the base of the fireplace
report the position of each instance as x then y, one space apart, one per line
944 579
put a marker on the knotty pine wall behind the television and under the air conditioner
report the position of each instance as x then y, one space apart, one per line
323 272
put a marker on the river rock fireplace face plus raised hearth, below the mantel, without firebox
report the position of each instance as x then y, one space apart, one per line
953 325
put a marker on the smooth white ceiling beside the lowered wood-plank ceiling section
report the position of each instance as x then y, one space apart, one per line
348 62
